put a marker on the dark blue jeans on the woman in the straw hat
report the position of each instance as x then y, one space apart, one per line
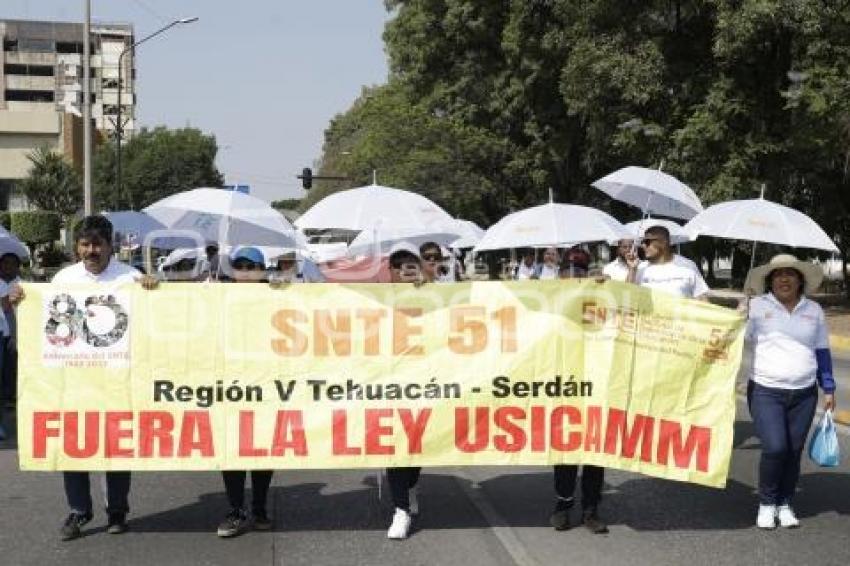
782 418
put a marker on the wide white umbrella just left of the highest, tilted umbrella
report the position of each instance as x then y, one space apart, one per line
551 225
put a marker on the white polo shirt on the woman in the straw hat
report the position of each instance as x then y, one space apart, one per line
784 343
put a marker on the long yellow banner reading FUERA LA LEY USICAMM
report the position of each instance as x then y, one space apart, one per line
194 376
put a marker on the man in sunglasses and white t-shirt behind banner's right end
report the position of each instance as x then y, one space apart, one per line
665 271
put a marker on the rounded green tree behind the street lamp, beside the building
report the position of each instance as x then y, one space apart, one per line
155 164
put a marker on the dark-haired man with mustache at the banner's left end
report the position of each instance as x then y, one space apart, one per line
93 247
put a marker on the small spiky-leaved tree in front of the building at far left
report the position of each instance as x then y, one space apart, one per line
52 184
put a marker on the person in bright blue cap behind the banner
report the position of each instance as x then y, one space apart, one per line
248 265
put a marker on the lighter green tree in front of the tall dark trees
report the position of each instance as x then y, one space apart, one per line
412 148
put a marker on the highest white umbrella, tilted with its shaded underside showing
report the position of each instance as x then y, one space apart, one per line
651 190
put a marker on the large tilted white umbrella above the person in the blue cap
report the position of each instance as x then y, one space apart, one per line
230 218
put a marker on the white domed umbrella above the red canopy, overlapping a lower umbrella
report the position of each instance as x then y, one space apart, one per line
365 207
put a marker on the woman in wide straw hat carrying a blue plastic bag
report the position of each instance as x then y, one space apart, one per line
790 343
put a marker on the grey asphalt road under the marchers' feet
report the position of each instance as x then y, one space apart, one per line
470 516
